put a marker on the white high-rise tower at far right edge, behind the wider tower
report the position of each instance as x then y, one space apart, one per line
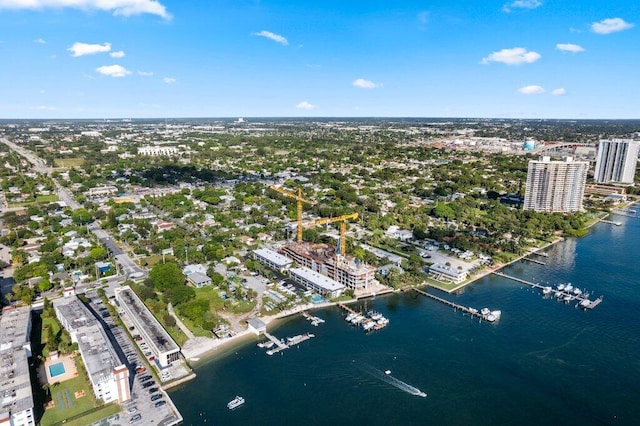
616 161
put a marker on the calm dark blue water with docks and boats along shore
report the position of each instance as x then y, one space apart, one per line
543 363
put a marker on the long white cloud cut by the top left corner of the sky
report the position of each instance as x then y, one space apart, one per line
117 7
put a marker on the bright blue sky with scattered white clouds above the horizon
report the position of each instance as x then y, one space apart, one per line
276 58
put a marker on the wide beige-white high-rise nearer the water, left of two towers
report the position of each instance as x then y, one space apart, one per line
555 186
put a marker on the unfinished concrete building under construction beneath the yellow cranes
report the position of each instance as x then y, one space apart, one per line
322 258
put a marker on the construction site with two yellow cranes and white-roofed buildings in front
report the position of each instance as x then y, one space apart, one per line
338 270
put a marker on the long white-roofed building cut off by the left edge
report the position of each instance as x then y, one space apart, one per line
15 349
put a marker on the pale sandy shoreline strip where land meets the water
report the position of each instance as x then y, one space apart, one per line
210 348
